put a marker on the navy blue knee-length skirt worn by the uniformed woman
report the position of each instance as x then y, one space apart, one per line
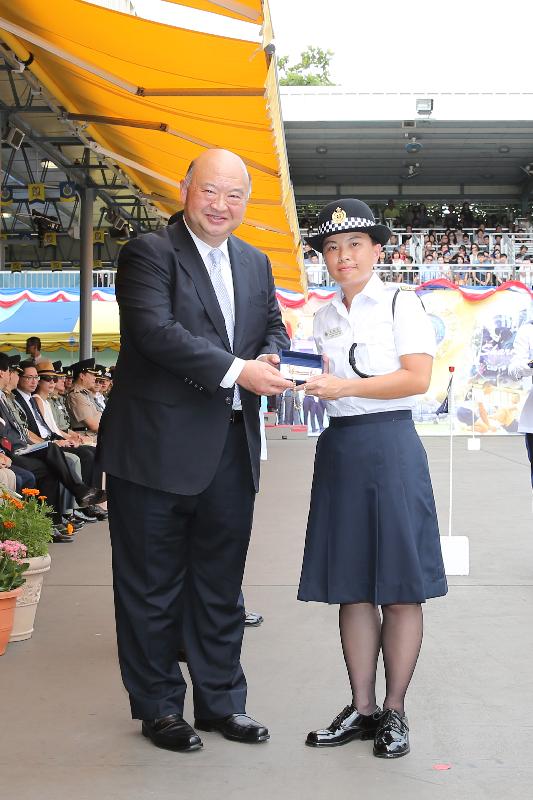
372 532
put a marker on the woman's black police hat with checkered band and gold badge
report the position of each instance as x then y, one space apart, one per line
343 216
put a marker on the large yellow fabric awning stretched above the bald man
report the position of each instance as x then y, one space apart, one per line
154 96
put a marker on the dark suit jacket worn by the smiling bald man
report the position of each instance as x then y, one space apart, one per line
167 418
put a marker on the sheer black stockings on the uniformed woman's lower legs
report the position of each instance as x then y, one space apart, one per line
362 636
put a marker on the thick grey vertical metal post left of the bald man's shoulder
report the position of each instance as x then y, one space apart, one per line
86 271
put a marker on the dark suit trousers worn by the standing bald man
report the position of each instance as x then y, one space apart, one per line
160 540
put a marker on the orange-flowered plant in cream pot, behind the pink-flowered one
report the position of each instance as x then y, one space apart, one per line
28 520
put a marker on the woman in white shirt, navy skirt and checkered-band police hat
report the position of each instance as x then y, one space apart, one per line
372 534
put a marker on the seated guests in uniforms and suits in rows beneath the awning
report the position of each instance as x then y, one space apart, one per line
49 419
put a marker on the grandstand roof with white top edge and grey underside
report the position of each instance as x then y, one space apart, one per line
470 146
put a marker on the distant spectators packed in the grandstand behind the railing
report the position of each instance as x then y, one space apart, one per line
454 245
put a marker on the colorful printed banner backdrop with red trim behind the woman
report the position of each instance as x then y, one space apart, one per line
475 331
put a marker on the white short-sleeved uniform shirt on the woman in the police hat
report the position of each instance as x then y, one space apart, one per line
380 341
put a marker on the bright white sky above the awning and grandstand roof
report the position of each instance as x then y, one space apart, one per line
392 46
